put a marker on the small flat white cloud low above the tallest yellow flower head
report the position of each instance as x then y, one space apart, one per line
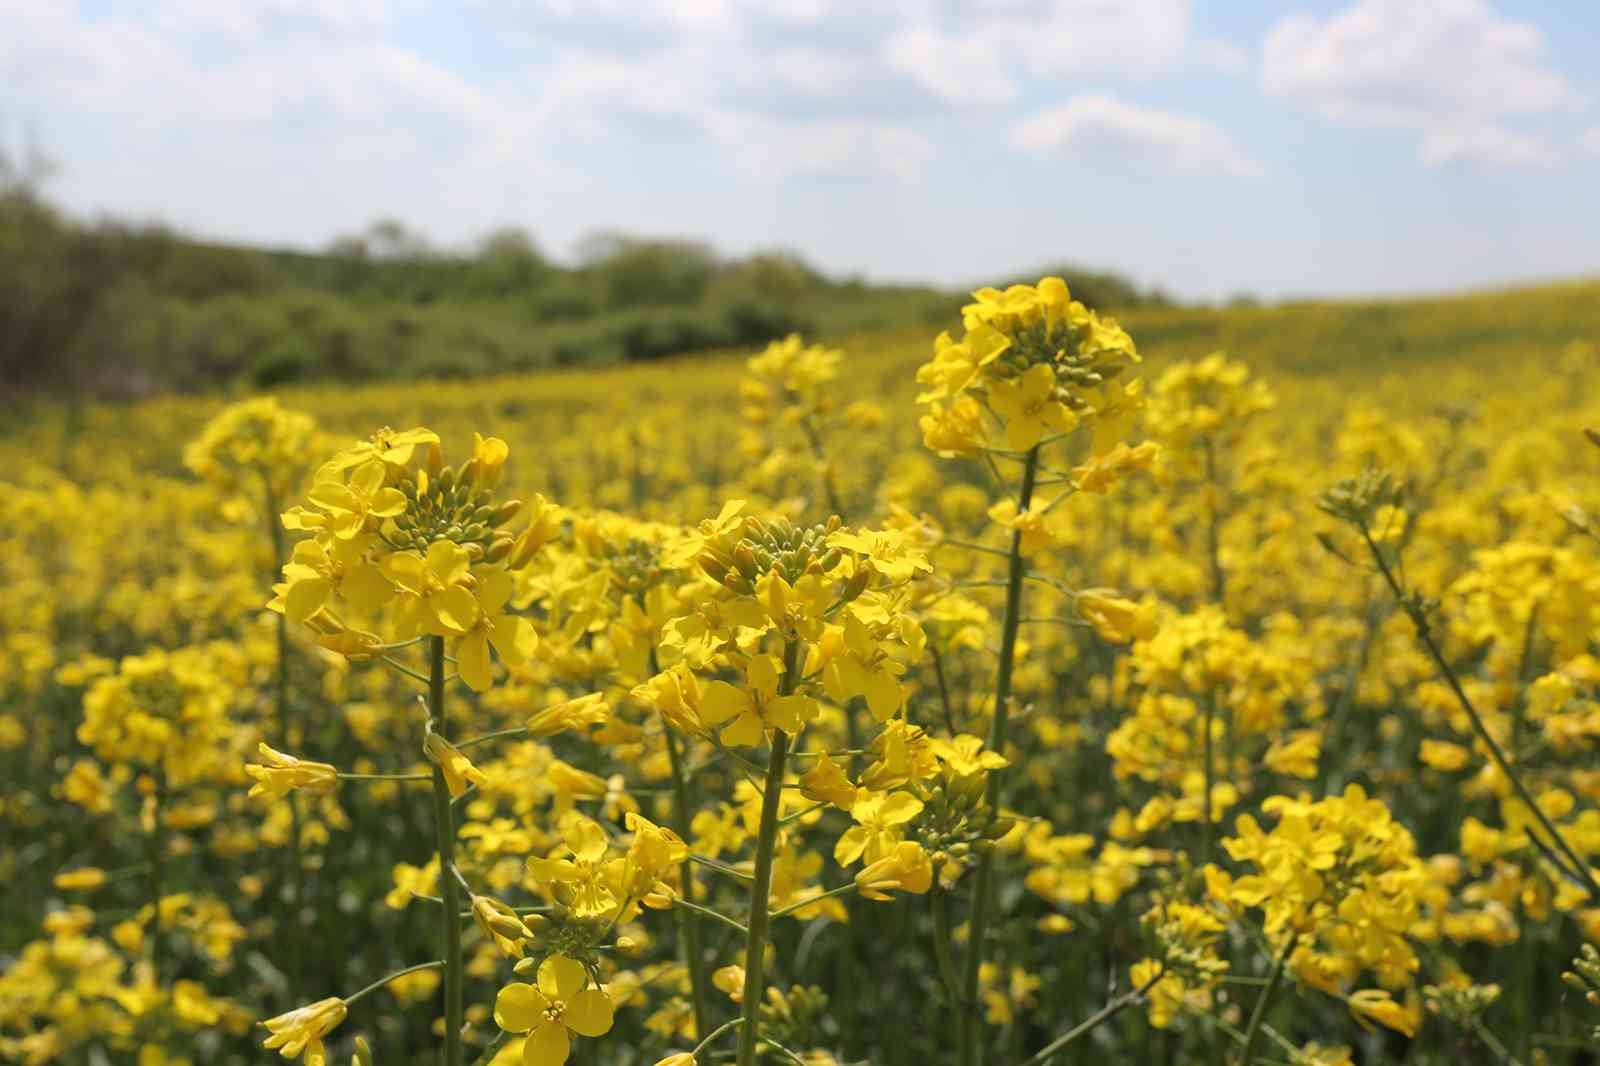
1103 124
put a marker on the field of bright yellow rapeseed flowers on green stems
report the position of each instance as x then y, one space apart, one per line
1009 697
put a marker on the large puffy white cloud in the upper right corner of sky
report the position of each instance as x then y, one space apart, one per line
1452 71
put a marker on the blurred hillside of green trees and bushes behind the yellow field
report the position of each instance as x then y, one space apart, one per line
116 310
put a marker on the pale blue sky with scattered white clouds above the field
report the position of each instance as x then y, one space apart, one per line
1210 146
